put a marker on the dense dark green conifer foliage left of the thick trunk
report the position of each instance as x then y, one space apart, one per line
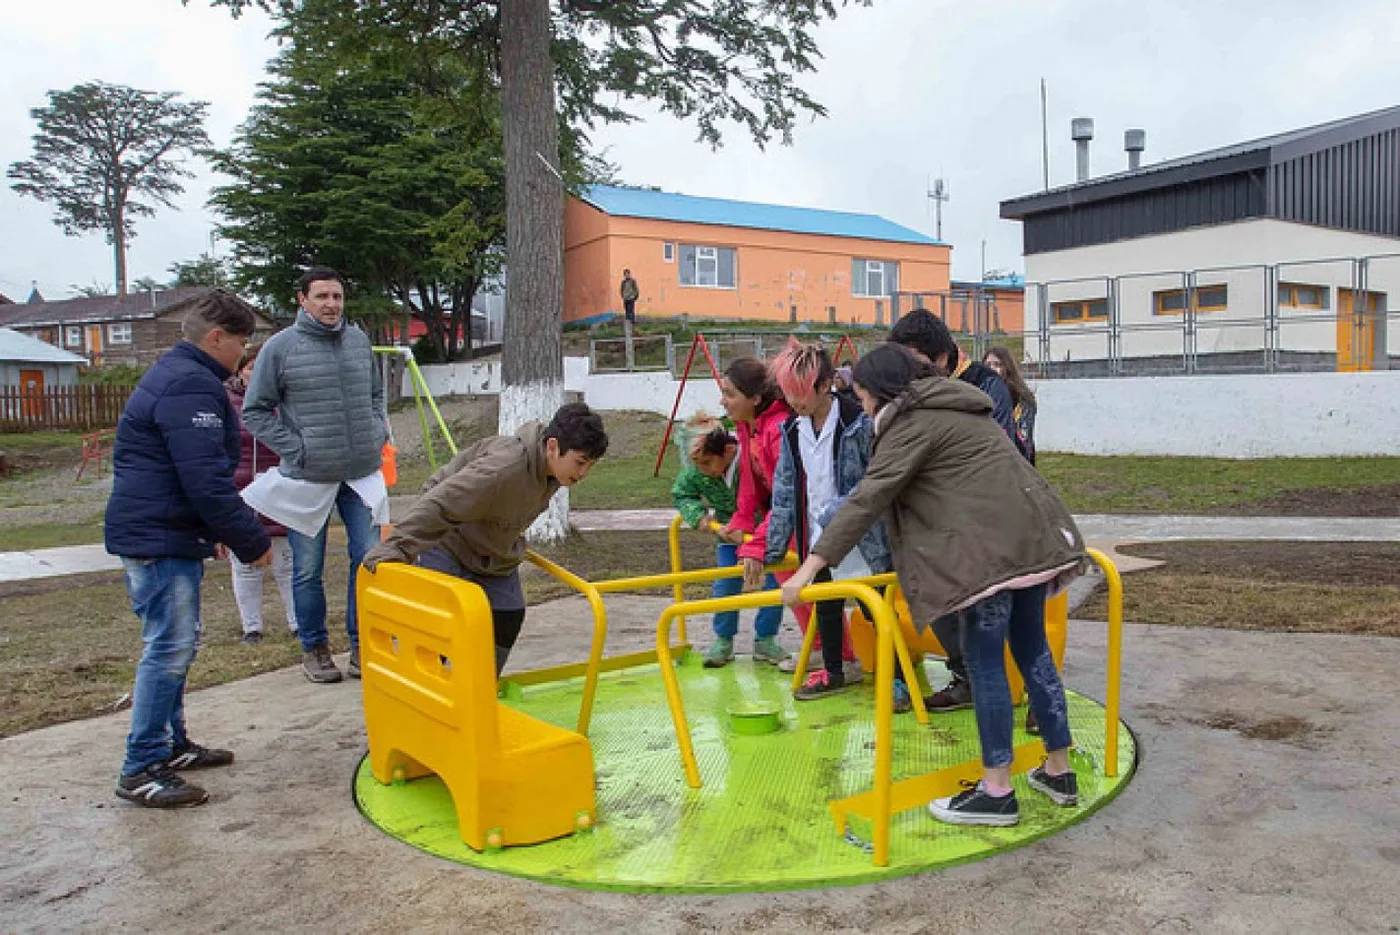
352 162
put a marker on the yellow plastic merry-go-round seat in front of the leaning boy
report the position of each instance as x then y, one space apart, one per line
428 660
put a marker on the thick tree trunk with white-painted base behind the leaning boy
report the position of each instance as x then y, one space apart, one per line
533 373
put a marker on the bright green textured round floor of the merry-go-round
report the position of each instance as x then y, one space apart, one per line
761 822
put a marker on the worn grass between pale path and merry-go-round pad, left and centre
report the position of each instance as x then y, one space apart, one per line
69 646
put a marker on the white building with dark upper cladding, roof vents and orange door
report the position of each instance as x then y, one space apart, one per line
1279 254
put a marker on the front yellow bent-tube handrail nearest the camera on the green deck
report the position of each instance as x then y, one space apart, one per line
885 626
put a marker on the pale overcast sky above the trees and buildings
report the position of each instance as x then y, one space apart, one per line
915 89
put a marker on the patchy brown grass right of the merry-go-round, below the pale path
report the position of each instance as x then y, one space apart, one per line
1294 587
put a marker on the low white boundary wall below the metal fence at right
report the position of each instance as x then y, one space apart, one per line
1223 416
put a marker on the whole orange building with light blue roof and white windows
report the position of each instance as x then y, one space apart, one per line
712 258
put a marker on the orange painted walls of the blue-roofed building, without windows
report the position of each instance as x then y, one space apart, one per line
776 272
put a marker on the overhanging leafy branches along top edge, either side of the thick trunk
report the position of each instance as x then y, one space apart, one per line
705 61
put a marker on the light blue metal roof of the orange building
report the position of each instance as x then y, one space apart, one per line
666 206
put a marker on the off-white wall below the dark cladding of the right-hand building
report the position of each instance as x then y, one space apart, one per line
1235 255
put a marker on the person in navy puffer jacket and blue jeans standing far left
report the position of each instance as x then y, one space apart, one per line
173 500
